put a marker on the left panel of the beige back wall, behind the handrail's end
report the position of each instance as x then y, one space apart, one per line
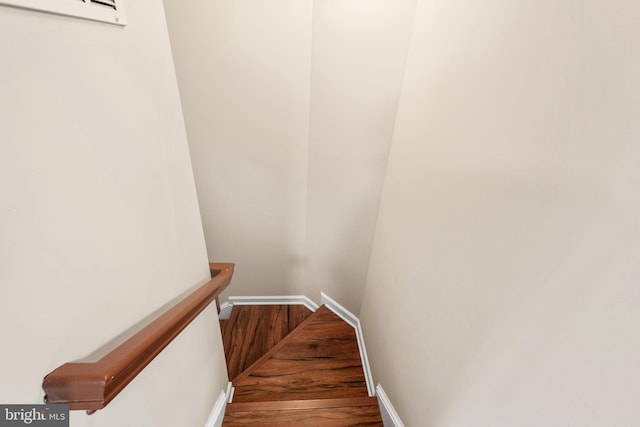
243 72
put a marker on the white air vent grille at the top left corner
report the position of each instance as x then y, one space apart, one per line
111 11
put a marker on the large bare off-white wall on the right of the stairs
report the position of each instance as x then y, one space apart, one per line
503 285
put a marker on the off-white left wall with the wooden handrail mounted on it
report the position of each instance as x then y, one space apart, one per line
99 222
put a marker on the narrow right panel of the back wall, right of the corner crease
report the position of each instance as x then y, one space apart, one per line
358 57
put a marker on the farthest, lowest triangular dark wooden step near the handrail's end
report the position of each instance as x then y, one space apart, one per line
253 330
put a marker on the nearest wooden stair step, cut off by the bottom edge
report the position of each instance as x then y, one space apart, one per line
323 412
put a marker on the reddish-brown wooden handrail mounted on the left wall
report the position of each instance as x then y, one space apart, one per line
91 386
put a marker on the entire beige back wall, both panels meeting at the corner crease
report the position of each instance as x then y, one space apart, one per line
289 108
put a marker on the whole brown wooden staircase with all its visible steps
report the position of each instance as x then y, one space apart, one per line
293 367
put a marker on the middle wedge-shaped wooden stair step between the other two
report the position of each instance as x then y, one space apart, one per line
319 360
